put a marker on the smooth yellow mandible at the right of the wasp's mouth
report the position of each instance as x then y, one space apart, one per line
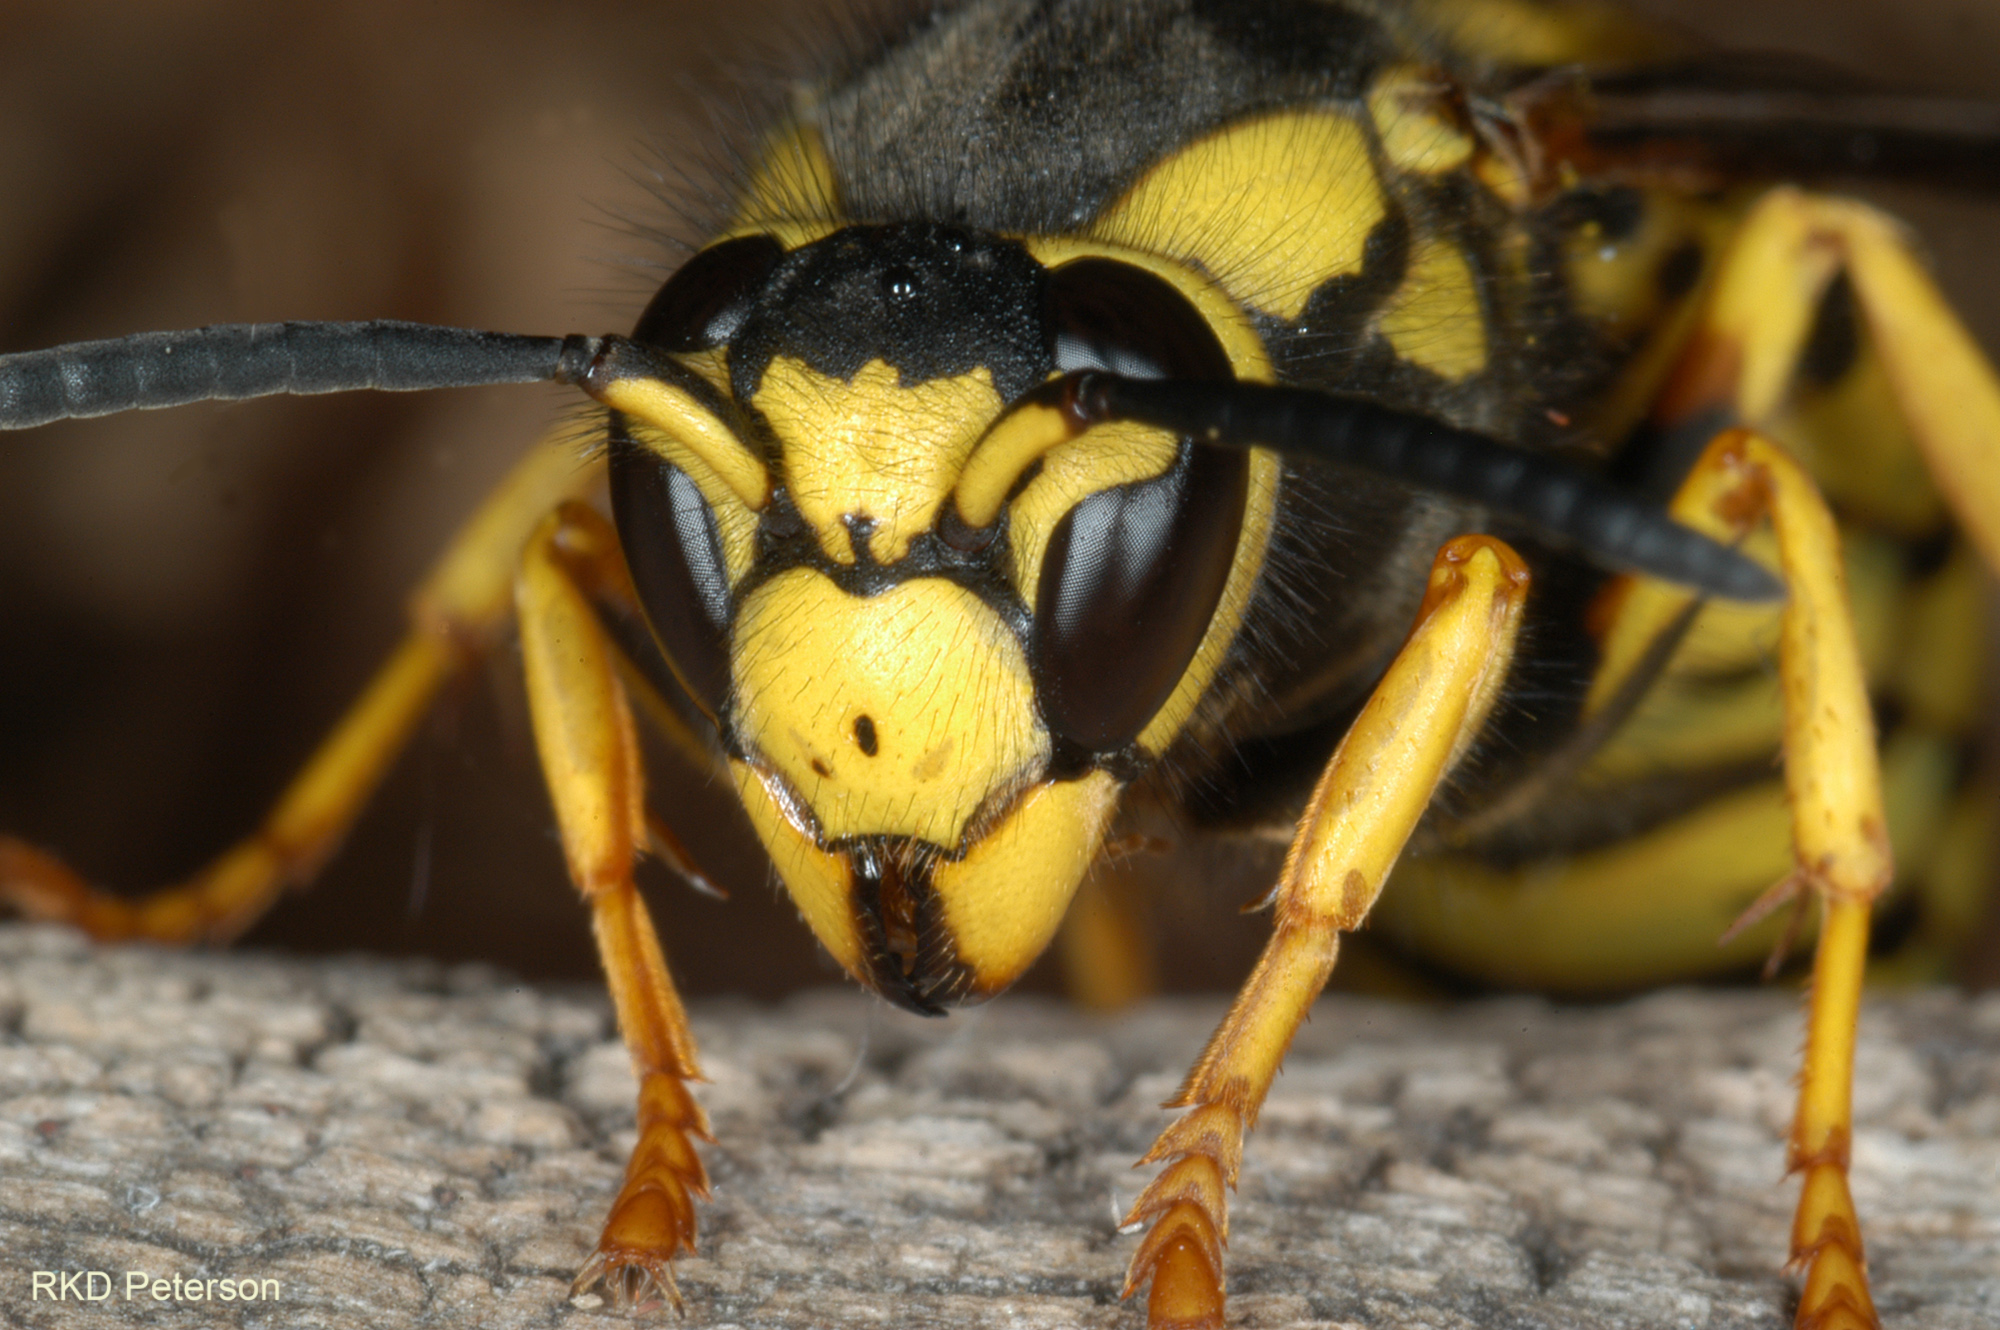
1005 901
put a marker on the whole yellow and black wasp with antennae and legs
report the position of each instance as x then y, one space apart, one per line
1429 427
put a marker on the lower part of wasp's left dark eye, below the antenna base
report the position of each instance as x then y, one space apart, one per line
675 555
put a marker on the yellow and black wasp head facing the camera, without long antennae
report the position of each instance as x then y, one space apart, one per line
933 659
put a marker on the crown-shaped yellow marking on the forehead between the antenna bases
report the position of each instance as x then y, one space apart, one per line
873 449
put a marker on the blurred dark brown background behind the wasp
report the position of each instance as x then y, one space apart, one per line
189 599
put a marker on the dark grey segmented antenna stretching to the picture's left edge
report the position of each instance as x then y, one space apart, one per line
255 361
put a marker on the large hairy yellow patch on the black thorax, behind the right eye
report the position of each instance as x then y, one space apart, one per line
1275 207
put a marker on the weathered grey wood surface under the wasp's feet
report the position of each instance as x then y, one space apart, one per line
409 1145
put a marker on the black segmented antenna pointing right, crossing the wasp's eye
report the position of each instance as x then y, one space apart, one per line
1557 499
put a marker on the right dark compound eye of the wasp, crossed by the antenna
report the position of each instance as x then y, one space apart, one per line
1133 573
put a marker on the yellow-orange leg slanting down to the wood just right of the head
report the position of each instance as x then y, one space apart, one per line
1375 789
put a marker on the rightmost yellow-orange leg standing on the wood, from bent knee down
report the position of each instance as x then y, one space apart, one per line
1839 837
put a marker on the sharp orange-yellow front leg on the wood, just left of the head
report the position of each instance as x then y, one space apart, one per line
589 749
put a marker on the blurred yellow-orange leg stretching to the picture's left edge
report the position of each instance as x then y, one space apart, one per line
457 613
